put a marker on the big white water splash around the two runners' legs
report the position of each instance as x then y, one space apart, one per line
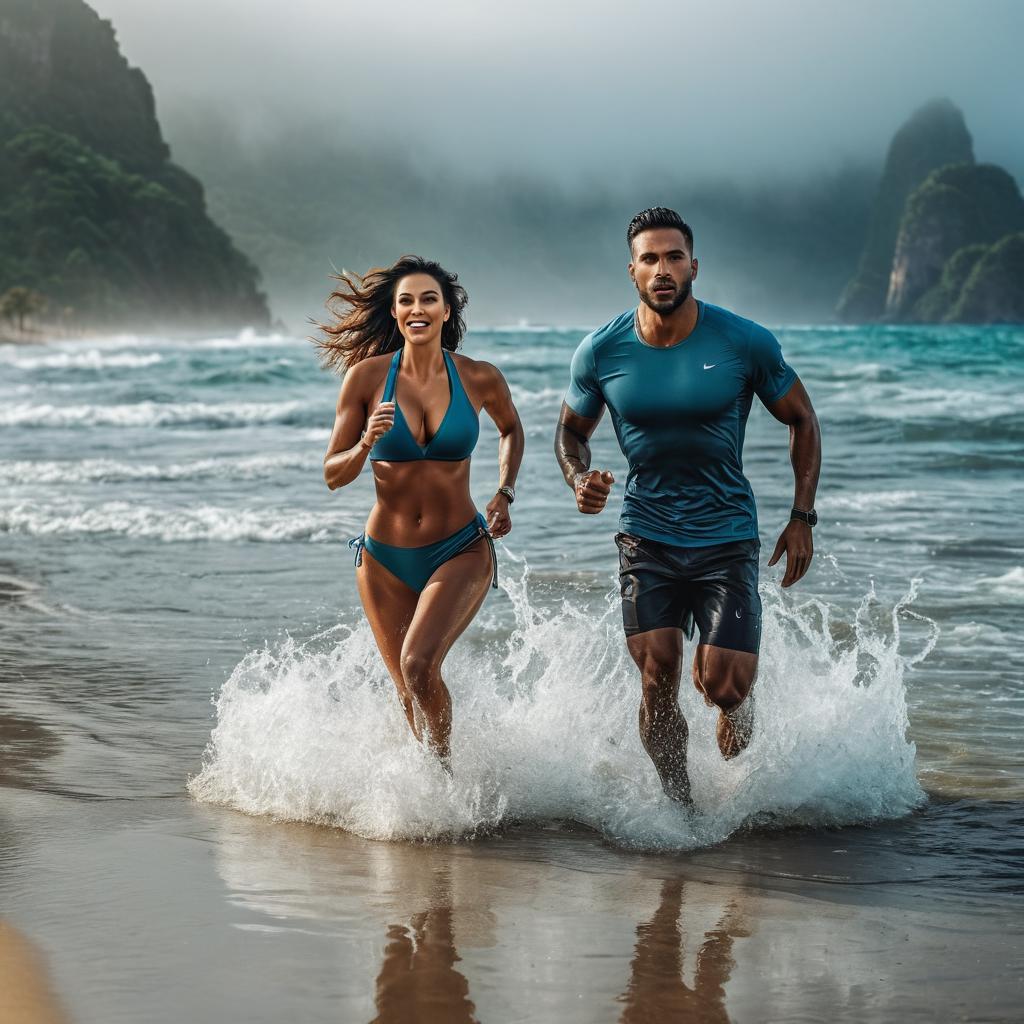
545 728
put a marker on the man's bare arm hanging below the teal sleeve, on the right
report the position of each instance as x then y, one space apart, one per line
795 410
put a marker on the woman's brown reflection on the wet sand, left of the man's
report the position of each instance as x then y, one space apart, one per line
418 979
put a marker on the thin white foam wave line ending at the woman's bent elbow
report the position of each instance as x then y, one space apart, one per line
113 472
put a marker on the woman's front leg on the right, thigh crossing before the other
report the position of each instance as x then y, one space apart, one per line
448 605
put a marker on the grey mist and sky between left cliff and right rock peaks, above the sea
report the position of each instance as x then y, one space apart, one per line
515 142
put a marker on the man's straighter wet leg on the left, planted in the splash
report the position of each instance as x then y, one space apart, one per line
659 656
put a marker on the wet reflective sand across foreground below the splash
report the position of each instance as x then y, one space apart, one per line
165 910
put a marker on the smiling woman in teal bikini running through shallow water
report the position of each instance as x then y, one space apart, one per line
411 407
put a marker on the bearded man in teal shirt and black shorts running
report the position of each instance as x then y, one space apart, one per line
679 376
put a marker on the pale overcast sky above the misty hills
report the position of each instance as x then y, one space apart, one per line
585 91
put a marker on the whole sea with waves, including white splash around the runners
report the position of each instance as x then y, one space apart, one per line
162 508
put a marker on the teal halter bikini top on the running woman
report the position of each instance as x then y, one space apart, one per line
456 438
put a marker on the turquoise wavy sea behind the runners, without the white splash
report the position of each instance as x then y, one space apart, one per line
162 514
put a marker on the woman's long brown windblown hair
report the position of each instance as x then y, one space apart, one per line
363 325
